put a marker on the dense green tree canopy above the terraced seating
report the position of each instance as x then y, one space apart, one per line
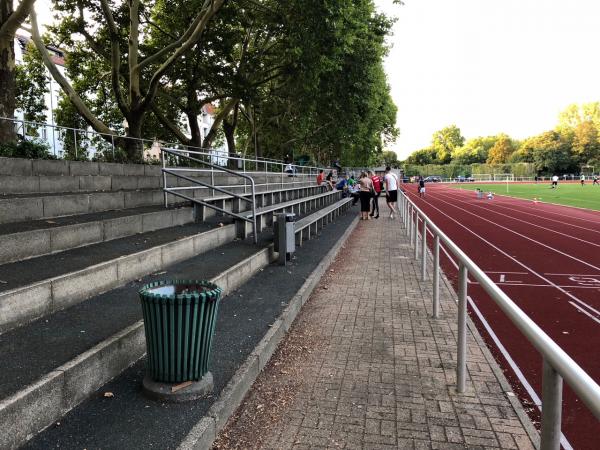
301 77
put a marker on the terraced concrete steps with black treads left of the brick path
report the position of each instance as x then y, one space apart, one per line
77 240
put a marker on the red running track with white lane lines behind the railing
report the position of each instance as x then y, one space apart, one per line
547 259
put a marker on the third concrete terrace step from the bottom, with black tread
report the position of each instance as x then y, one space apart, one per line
22 240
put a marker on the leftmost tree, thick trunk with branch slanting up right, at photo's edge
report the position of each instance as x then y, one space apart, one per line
10 21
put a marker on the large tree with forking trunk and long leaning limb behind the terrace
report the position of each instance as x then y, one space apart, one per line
136 80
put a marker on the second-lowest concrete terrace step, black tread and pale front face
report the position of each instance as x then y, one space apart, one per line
39 286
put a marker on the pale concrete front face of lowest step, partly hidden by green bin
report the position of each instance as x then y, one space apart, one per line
42 403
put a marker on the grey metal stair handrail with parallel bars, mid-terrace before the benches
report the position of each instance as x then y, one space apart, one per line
167 190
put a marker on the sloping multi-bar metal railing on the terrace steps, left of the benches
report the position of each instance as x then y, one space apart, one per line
176 172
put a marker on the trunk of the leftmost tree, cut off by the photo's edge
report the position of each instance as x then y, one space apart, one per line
7 80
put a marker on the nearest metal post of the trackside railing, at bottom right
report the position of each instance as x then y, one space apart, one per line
551 408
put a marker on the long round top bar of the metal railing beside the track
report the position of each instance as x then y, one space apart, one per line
581 383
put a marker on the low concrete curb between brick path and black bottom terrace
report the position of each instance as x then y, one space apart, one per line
205 431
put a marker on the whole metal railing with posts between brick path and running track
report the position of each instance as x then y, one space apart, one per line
557 365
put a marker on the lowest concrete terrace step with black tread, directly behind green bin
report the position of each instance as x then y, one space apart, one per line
54 363
